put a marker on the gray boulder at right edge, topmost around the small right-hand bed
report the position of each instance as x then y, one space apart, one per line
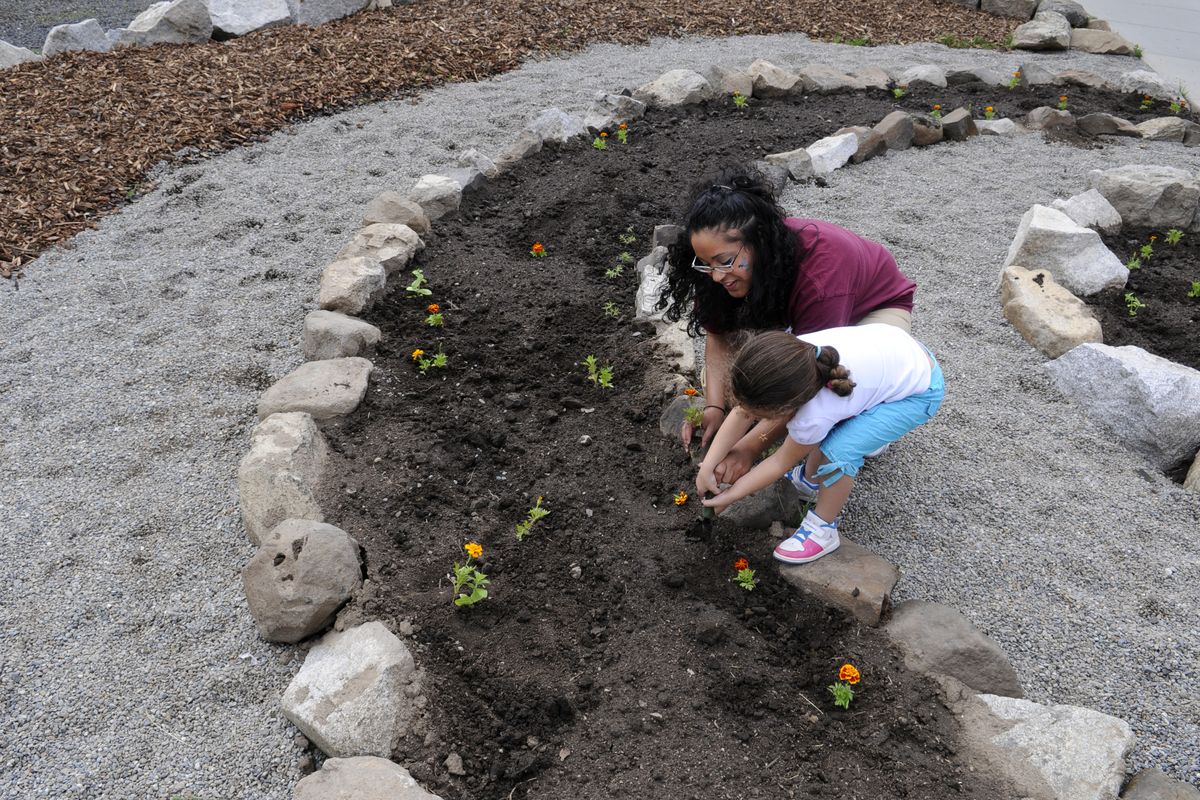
1150 196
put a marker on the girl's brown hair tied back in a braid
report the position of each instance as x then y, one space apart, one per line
776 374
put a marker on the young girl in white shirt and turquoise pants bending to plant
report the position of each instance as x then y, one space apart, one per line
844 394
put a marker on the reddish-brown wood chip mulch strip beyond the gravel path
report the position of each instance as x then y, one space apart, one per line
79 133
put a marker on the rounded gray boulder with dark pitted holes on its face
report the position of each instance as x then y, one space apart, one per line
302 575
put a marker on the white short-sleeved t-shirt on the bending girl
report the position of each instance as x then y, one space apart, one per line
886 365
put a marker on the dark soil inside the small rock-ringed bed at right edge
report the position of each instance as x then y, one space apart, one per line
1169 322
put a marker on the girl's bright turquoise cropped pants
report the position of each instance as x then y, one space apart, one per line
854 440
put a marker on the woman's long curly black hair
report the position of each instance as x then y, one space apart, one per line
736 200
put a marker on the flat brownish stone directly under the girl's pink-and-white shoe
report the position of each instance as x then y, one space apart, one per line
853 579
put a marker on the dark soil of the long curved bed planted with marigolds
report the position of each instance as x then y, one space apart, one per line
615 658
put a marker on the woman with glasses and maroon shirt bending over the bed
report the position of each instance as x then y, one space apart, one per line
741 264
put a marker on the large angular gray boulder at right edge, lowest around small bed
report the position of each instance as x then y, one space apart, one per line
1148 402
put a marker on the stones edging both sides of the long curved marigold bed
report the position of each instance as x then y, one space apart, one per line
305 570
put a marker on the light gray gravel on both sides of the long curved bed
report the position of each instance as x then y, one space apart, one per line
133 358
